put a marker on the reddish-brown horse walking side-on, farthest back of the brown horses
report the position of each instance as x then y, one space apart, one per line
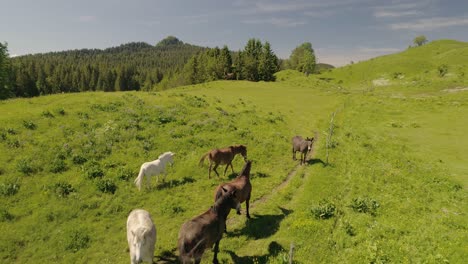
223 156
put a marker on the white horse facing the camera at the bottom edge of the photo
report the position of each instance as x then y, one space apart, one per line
141 236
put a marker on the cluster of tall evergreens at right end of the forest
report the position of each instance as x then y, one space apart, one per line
256 62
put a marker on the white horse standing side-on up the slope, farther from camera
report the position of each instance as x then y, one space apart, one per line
154 167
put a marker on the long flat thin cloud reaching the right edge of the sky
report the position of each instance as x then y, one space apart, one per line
430 23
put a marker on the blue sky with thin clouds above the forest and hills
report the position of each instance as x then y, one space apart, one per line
340 30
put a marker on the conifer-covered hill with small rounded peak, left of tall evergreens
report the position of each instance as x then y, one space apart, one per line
131 66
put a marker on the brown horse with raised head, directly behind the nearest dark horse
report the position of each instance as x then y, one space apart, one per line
241 185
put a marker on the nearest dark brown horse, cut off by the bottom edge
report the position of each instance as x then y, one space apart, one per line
203 231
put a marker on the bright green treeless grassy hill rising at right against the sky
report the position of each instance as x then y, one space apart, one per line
415 65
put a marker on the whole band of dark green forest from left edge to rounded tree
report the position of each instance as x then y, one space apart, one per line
141 66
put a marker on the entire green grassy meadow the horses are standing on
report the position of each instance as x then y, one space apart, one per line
394 190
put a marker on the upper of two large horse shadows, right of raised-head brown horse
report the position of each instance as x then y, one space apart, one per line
262 226
